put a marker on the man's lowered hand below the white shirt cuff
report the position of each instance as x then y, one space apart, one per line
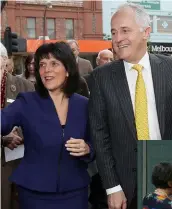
117 200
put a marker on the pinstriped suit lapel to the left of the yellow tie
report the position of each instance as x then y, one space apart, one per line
122 91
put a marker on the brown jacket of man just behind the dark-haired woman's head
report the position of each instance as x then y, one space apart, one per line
84 66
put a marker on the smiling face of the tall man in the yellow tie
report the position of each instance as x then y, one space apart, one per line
129 43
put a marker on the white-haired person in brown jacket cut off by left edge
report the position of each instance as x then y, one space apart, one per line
10 87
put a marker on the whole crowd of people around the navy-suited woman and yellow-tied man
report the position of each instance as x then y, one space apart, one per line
76 122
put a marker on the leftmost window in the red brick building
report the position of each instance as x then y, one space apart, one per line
31 27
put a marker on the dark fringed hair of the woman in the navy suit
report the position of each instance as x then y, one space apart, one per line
62 52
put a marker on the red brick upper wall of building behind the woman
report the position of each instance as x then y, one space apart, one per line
86 25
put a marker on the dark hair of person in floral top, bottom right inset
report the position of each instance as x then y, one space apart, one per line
161 175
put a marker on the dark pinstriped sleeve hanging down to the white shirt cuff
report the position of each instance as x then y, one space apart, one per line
100 134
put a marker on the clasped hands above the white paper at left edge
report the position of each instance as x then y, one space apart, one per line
12 140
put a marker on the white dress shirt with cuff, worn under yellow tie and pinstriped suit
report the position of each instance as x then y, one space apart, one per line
131 74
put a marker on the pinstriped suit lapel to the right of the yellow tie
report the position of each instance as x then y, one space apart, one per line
158 76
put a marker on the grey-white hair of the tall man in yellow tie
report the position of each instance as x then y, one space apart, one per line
141 15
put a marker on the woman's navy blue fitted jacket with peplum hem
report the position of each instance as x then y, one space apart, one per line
46 163
